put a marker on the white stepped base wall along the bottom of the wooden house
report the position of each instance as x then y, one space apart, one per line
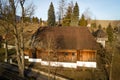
64 64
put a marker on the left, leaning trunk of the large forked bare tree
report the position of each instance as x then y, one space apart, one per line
16 36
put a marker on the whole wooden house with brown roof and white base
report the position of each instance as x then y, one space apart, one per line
65 46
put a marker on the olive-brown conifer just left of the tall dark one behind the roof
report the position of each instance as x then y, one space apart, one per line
67 18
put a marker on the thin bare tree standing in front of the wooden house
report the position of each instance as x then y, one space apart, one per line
51 48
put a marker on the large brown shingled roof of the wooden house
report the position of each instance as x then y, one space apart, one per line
66 37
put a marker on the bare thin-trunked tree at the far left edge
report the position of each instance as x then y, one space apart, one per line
5 26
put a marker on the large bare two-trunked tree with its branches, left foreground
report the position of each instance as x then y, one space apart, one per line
16 31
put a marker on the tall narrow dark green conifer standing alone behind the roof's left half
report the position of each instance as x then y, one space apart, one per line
51 15
